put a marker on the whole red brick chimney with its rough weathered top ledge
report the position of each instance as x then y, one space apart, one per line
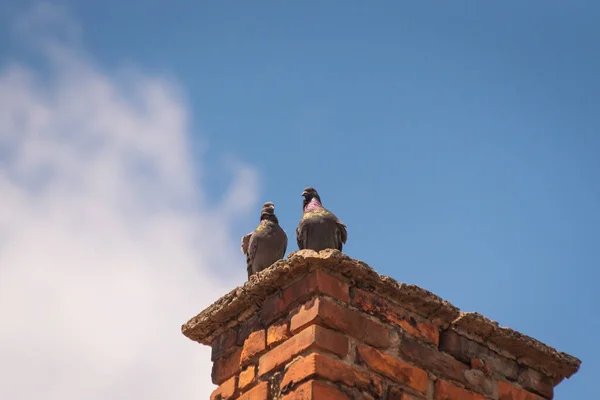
326 326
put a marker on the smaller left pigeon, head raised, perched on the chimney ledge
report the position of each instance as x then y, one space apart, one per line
266 244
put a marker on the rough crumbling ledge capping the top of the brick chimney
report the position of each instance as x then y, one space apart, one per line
240 304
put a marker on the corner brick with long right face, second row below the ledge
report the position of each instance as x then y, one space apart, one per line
323 311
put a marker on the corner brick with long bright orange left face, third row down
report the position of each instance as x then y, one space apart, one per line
312 337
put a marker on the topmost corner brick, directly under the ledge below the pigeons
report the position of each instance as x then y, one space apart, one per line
317 282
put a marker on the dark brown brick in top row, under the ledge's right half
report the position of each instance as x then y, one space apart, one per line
465 350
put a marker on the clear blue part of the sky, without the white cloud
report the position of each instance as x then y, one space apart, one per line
458 141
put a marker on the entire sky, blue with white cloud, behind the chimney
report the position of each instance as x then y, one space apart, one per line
137 140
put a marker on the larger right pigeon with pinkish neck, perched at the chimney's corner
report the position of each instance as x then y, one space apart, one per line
319 228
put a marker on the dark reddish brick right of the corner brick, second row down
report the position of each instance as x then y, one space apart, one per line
432 360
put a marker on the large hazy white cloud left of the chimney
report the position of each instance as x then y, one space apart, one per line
106 243
